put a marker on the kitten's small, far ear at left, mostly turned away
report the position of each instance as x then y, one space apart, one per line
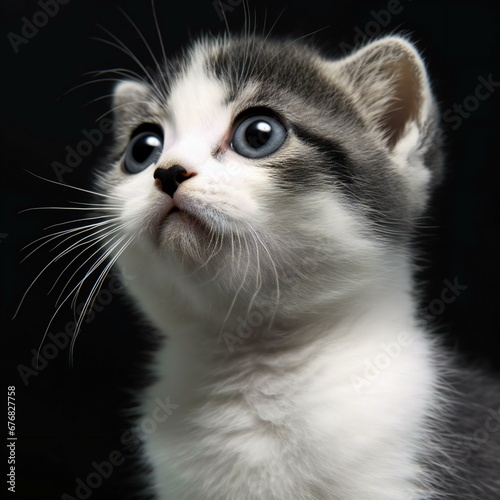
128 98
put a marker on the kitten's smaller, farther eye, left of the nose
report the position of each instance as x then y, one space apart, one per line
143 150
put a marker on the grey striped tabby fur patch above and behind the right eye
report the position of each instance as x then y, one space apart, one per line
323 117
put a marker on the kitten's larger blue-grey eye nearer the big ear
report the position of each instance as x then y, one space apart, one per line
258 136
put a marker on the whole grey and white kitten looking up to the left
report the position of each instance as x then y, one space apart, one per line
268 197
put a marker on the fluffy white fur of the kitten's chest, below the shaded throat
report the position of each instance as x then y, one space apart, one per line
272 422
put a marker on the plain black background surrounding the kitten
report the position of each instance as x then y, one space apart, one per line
68 417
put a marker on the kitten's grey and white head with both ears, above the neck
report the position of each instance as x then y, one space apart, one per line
262 165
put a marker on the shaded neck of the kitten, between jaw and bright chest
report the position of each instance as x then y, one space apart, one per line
176 303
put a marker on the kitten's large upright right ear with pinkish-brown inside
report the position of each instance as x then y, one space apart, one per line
391 87
